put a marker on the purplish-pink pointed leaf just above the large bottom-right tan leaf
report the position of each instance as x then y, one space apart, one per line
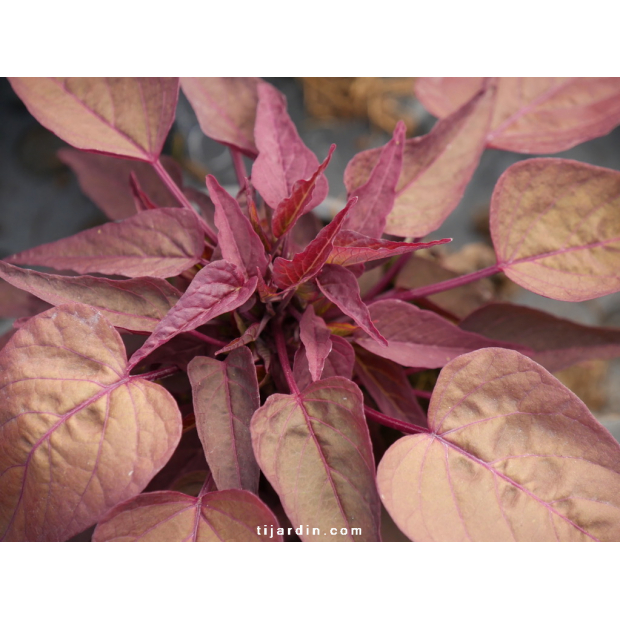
421 339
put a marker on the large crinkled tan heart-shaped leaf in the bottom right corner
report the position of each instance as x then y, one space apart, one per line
511 454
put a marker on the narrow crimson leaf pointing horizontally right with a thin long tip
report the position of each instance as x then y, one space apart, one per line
352 248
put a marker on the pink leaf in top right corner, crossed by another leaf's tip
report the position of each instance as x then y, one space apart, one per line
533 115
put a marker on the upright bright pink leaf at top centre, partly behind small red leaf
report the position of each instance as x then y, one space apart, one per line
283 158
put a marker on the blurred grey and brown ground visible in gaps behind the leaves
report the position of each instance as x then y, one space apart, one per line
40 200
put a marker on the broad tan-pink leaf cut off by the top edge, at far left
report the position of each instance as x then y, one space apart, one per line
128 117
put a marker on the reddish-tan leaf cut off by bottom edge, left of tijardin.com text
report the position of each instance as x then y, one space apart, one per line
169 516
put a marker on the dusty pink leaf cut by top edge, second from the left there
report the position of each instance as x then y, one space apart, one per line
226 109
